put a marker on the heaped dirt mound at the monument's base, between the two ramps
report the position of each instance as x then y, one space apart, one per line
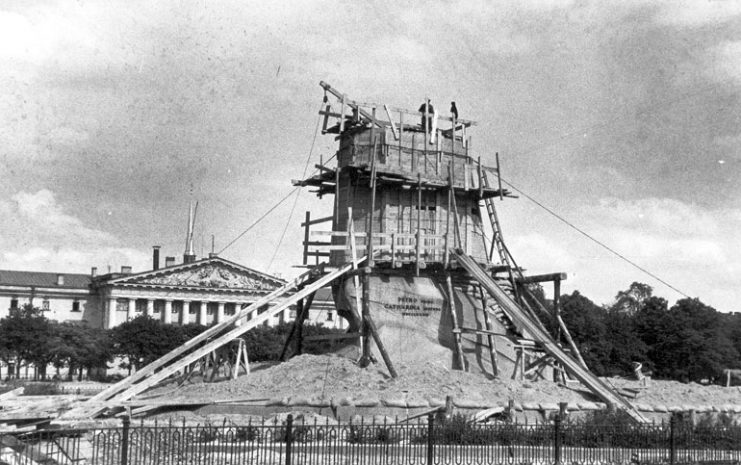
328 376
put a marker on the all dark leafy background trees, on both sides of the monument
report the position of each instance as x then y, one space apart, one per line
688 341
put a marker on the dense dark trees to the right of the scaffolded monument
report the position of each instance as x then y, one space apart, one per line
689 341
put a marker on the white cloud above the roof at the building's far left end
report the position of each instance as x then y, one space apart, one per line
41 235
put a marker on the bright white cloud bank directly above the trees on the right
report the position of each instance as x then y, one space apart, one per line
692 248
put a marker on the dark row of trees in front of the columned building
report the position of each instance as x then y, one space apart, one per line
28 339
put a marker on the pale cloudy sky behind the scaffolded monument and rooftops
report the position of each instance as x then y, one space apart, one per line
622 118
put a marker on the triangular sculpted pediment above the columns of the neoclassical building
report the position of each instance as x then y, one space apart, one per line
212 273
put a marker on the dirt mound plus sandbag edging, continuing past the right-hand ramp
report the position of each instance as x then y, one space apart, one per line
336 387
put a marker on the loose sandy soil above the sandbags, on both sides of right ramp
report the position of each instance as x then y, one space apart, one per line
313 377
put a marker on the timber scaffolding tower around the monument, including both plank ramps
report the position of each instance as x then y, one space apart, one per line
409 199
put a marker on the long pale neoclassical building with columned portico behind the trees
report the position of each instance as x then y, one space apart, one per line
202 291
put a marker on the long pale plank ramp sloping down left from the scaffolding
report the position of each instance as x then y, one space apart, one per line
211 339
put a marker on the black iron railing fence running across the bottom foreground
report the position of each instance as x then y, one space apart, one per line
426 442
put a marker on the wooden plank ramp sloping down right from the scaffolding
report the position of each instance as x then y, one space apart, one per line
605 392
